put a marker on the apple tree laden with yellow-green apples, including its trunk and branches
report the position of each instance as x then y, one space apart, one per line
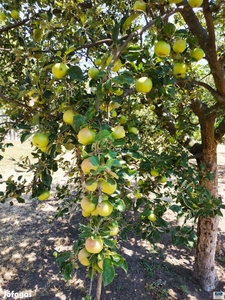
135 91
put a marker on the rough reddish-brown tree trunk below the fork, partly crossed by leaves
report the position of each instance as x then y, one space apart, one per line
207 228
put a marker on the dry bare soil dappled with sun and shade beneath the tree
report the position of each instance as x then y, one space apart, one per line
28 240
